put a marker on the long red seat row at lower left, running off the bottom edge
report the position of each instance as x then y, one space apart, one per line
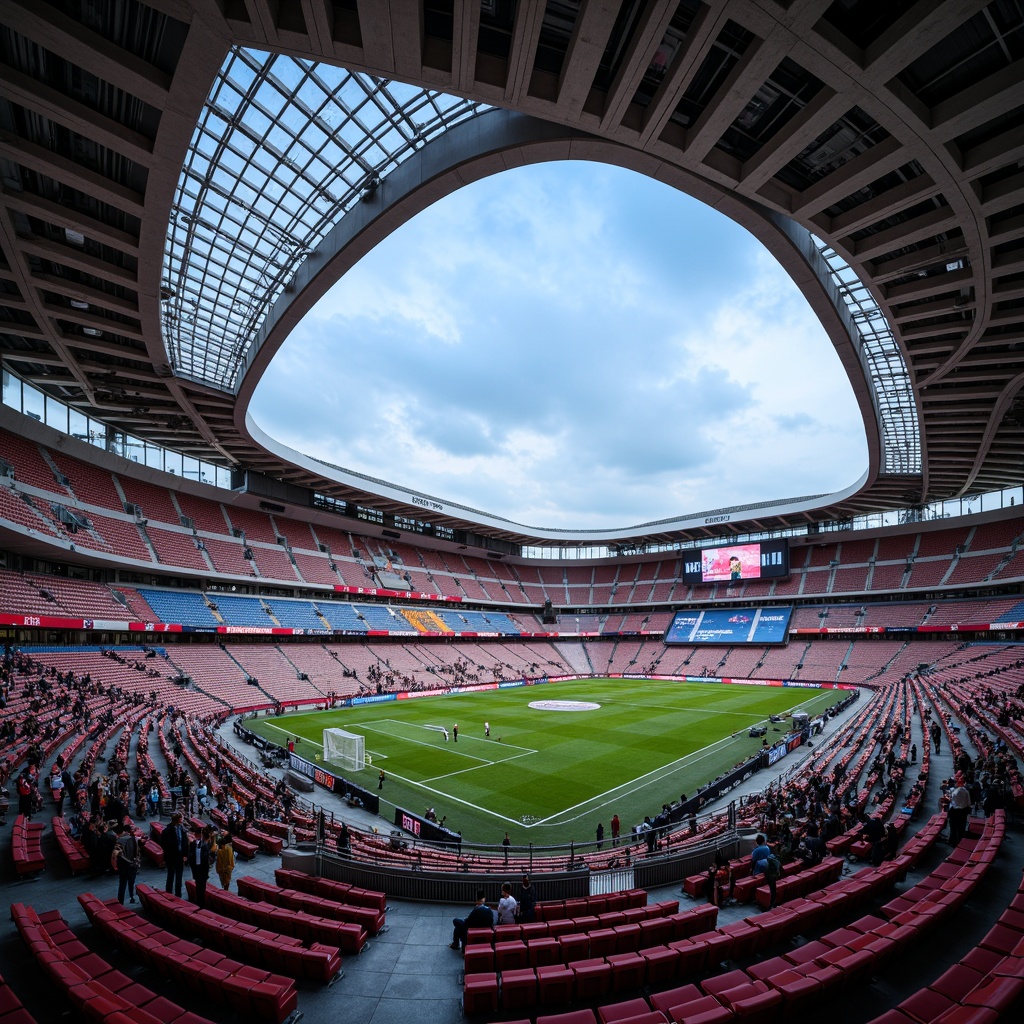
98 992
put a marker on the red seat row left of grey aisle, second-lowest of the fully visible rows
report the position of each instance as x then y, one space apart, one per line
285 954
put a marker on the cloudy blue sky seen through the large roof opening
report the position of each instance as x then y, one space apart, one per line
570 346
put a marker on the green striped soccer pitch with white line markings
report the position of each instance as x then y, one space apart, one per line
549 777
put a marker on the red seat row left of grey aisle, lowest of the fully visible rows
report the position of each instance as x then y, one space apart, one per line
249 991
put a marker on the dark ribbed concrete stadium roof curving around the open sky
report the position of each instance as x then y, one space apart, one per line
894 136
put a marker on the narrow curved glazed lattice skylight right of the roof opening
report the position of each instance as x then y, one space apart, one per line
888 375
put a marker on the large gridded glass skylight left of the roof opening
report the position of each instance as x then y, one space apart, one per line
282 151
